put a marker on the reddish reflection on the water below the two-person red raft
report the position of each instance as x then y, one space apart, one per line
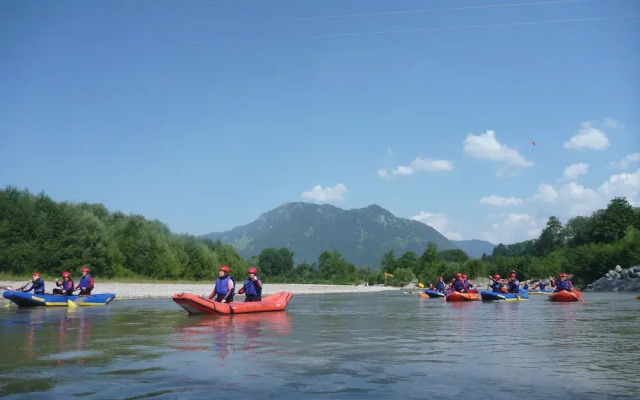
225 334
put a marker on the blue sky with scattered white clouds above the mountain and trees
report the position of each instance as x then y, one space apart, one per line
204 114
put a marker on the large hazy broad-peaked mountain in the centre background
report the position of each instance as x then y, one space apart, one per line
362 235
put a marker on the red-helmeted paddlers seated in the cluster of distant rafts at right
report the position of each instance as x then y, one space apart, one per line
510 284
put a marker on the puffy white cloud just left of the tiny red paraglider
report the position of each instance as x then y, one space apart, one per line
486 146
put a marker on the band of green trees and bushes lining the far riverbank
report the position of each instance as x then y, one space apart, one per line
37 233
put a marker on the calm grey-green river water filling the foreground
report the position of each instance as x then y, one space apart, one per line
348 346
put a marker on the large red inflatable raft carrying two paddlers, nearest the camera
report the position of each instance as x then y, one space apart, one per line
195 304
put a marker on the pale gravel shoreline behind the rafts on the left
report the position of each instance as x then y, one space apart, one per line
128 291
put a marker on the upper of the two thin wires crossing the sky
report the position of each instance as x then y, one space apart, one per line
399 12
